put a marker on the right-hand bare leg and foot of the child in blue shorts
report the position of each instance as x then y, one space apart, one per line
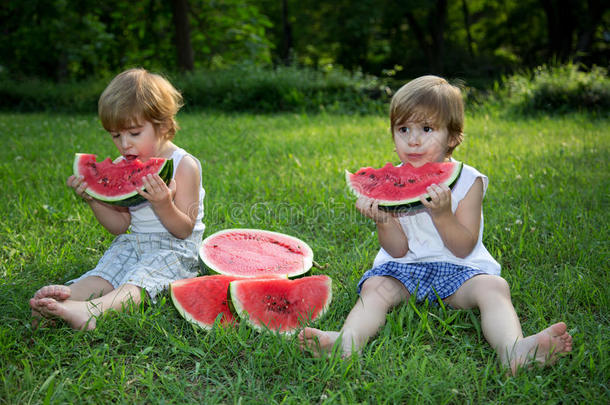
501 326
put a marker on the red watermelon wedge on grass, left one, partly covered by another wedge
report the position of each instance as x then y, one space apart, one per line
201 299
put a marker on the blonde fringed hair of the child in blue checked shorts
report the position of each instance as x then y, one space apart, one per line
430 99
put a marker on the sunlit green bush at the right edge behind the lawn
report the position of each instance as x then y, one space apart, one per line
557 89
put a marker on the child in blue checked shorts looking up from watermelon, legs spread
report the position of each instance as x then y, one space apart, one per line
437 251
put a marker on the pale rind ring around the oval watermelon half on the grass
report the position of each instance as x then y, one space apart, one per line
208 266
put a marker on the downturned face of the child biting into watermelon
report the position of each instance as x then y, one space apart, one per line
139 140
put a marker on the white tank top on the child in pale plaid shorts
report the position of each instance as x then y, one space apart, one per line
143 217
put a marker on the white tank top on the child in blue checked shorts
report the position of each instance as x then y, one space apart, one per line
425 243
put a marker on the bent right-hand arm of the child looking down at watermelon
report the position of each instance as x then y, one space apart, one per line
177 205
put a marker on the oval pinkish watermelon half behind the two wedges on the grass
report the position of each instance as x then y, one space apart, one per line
255 252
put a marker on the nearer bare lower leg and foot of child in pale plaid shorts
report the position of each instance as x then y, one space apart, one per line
81 314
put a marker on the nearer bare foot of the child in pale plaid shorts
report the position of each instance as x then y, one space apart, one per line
75 313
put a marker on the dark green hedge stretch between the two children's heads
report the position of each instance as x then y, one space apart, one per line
281 89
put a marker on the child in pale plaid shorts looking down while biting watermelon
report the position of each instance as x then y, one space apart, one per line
138 110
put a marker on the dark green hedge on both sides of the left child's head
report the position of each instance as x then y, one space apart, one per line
241 88
